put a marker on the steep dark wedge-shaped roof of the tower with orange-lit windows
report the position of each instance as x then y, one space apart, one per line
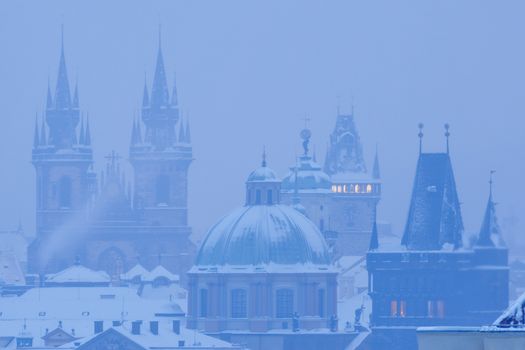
434 217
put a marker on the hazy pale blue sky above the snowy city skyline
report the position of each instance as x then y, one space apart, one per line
248 71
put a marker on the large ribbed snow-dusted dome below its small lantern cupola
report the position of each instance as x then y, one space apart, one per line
263 234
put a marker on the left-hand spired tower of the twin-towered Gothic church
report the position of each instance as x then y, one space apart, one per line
63 162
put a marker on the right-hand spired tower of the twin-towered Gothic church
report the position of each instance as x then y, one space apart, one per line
160 161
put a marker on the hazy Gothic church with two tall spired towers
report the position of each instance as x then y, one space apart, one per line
105 221
